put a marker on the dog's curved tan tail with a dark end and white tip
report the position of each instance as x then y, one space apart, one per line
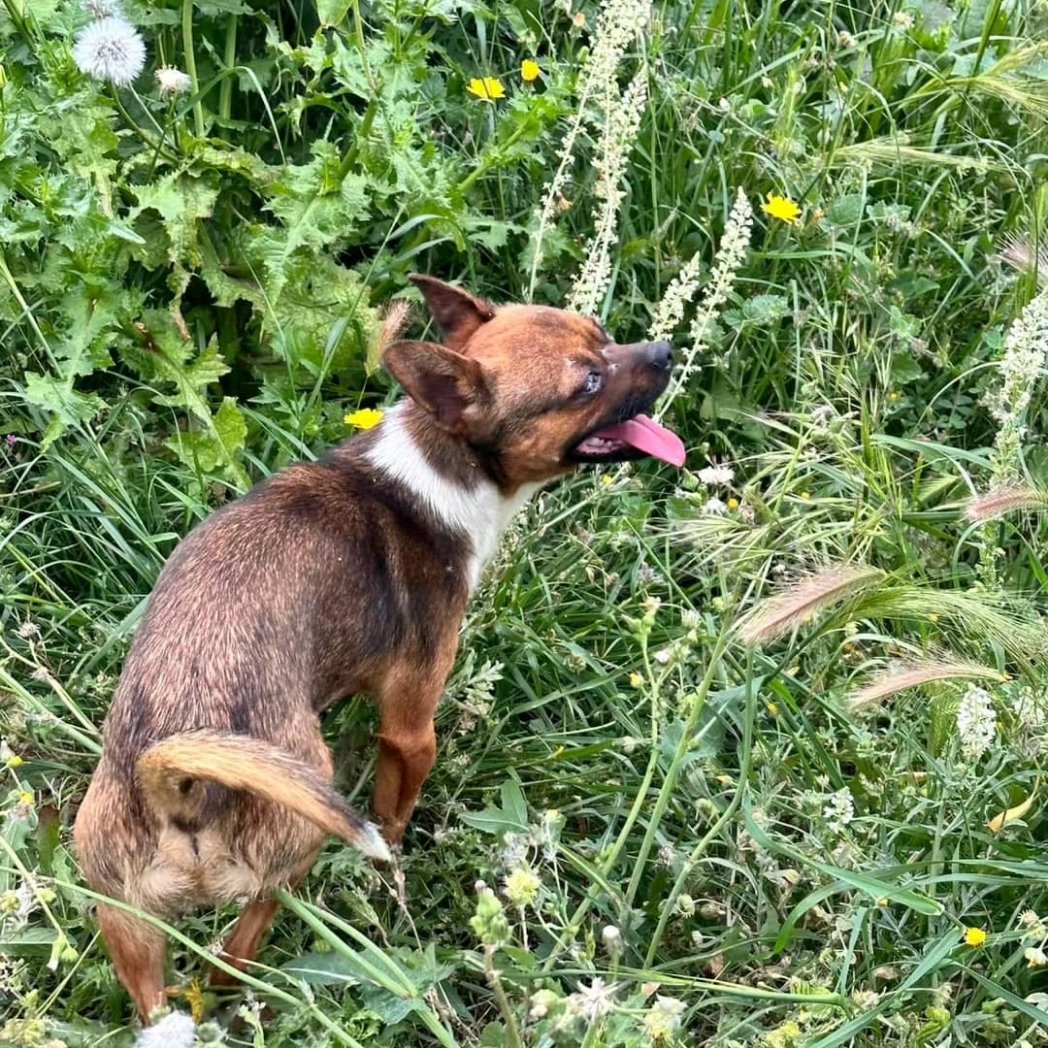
169 770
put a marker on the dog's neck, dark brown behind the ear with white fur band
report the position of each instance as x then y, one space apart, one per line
449 478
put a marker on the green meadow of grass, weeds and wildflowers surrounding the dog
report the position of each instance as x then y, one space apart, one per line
749 754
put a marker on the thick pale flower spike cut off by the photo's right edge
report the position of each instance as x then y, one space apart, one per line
1025 353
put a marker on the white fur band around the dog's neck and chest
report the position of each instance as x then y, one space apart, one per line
482 513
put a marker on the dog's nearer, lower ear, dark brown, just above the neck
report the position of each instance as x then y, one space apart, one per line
451 387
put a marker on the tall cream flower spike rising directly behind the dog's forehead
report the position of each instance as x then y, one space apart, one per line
623 122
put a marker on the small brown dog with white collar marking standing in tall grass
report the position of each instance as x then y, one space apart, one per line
348 575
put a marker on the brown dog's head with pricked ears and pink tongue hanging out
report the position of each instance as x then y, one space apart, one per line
537 390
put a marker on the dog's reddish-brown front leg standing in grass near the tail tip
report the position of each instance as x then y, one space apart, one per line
407 743
